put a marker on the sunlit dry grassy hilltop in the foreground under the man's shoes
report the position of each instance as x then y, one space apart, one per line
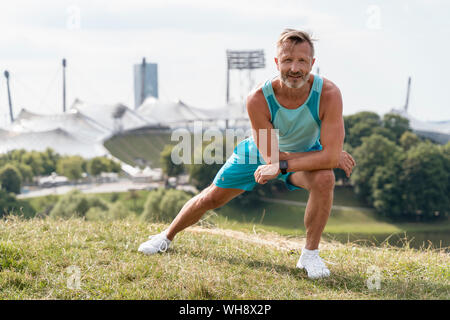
202 263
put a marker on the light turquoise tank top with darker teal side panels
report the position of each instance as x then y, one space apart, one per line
299 128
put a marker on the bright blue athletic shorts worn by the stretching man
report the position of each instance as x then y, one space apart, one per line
238 171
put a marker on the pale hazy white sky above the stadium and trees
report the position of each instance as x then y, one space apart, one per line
367 48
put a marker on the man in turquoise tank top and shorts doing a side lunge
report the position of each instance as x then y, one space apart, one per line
307 112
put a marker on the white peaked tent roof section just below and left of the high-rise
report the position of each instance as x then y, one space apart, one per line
109 116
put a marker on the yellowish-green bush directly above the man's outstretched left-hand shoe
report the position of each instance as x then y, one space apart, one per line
163 205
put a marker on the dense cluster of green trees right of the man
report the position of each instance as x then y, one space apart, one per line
400 174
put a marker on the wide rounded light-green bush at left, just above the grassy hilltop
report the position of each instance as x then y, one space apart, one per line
74 203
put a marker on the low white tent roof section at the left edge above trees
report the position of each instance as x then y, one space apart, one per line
58 139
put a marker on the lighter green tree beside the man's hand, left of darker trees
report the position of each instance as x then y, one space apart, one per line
375 151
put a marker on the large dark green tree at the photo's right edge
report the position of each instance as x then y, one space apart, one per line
415 186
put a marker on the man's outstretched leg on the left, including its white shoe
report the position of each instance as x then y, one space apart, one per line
210 198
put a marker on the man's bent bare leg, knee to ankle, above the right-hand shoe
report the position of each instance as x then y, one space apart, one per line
320 185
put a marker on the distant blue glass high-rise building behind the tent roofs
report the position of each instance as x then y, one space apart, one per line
145 82
